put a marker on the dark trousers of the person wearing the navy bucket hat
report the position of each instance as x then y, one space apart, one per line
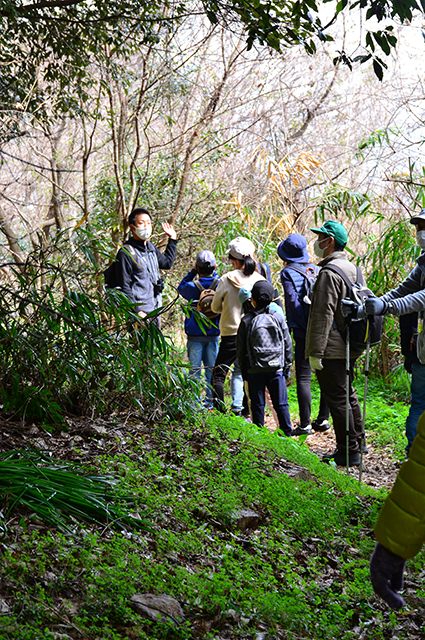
303 377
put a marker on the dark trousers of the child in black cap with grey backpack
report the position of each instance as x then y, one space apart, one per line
275 383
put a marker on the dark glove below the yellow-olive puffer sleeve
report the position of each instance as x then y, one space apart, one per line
386 573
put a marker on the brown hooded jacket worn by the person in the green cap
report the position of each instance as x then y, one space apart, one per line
323 339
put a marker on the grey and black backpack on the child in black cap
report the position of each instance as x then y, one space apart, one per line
265 341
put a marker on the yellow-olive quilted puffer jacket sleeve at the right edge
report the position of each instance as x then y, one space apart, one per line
401 523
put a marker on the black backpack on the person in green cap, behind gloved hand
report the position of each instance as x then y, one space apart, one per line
367 329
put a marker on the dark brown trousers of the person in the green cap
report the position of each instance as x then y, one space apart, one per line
332 381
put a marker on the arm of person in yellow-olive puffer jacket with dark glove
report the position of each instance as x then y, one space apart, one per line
400 528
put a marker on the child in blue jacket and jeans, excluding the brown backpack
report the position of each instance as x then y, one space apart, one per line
202 344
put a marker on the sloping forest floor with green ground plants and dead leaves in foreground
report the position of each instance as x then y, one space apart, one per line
250 533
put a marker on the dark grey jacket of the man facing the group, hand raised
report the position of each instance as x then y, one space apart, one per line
140 262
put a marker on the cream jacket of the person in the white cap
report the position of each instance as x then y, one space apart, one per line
226 300
